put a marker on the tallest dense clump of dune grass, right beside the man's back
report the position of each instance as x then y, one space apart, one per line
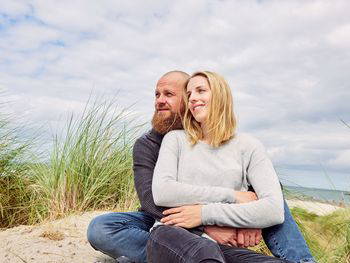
90 166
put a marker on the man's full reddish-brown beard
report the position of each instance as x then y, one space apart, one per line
163 125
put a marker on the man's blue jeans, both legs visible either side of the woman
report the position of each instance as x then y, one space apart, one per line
126 234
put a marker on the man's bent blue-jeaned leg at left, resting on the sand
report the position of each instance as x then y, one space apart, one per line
121 234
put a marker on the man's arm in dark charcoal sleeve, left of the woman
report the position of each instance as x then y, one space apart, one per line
145 158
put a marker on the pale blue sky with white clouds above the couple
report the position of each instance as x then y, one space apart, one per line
287 63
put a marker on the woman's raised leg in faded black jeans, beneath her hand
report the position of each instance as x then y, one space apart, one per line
175 244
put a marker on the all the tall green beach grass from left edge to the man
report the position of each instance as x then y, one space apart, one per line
88 168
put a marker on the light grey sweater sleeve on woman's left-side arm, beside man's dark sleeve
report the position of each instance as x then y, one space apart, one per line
168 192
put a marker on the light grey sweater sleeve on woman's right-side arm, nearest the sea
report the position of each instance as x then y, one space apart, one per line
268 210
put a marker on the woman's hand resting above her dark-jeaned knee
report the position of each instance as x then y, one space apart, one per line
187 216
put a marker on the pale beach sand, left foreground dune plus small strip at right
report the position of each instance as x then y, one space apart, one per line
64 240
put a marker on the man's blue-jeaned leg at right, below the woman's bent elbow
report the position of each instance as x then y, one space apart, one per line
286 241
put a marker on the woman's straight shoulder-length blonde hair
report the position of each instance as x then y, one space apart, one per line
221 121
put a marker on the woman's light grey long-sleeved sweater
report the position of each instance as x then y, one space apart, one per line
202 174
